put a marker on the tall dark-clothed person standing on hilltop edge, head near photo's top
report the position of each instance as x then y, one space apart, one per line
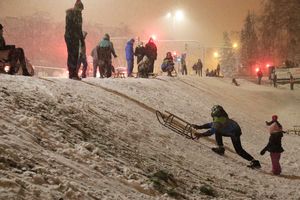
74 35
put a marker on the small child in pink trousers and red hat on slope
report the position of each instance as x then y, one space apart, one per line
274 145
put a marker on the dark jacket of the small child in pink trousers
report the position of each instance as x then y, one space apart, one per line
274 145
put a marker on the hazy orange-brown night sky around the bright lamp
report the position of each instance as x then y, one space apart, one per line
205 20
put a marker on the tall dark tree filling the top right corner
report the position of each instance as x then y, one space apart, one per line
280 30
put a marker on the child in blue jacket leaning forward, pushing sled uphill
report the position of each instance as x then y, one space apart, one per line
221 126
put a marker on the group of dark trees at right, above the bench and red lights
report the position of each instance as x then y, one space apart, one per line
272 36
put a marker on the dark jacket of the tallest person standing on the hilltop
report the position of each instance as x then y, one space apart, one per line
73 29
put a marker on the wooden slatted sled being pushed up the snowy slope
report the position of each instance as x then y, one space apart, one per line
176 124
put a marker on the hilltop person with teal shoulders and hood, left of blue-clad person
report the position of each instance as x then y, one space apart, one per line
105 51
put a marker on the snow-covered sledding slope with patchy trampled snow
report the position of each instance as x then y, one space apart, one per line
100 139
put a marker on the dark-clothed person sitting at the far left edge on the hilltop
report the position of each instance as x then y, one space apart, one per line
15 55
